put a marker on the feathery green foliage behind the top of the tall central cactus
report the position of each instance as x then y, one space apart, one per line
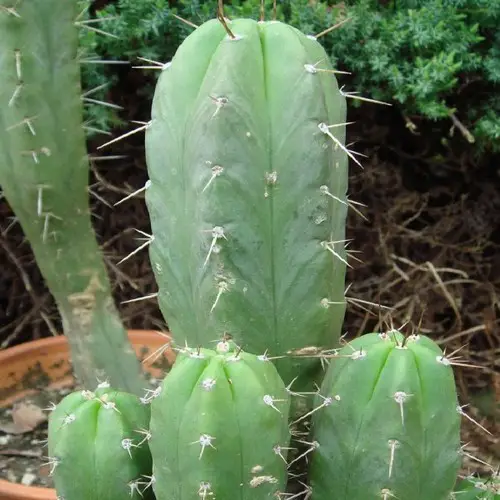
436 59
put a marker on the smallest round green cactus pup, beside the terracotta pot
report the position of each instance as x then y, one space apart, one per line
98 446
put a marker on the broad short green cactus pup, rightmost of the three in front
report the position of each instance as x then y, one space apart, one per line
387 422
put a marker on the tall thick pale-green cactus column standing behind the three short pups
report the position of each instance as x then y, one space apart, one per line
247 192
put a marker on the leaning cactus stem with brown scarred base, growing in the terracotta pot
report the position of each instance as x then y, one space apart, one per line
44 173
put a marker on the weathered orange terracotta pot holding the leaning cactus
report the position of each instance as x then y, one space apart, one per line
45 363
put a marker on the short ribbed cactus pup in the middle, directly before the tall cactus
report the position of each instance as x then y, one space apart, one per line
219 427
